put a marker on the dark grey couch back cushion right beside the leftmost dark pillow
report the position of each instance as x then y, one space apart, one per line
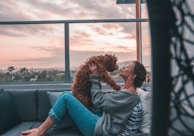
25 103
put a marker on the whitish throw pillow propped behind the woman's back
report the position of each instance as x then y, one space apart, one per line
146 99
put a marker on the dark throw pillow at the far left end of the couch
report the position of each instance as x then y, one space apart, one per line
8 114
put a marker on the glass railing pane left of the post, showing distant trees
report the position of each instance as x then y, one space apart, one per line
32 51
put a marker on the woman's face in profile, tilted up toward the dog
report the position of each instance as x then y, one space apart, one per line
127 71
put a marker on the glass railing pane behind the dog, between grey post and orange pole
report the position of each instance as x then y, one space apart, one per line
102 38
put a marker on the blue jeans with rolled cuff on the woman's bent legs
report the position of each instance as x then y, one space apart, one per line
84 119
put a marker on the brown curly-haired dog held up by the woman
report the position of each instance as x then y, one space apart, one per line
81 85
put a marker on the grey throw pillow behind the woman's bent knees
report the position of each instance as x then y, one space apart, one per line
66 121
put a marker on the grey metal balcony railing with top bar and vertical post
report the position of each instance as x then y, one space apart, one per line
66 34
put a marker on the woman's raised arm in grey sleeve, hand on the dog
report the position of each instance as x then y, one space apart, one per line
110 102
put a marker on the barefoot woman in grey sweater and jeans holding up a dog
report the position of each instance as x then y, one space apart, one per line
117 109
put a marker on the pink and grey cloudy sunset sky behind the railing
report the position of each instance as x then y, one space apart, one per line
42 46
